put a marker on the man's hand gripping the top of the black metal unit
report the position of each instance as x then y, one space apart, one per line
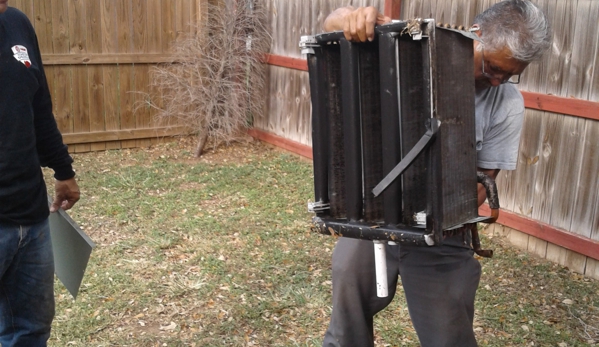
357 23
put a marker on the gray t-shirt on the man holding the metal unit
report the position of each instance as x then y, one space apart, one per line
499 115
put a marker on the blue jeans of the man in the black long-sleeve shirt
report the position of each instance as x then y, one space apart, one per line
26 285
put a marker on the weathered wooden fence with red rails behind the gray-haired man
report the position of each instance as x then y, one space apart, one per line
550 204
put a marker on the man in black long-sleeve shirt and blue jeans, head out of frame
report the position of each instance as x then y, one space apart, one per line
29 139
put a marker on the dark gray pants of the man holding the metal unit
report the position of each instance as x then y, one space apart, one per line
439 283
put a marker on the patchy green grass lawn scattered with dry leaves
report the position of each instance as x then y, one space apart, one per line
218 251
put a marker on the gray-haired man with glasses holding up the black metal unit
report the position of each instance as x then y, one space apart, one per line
440 282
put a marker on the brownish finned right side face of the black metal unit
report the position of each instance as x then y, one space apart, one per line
453 155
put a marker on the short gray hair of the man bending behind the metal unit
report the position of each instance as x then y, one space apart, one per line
518 25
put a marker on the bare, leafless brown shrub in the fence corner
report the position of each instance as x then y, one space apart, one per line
217 82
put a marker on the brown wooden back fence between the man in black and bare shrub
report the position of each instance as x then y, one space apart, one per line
97 55
